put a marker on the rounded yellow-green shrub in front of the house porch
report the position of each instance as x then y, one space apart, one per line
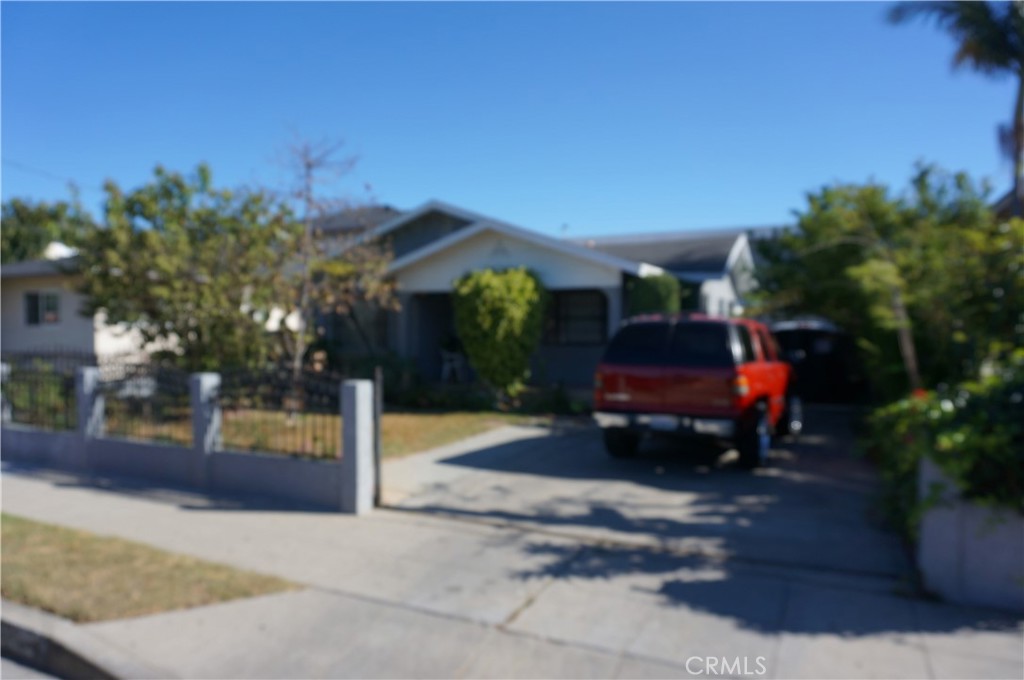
499 317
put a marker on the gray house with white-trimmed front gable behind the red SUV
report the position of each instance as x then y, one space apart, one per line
437 243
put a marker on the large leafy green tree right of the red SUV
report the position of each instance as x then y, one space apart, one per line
931 283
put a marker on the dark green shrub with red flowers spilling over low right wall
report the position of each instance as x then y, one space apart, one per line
974 434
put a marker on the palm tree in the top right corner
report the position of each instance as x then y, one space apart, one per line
991 37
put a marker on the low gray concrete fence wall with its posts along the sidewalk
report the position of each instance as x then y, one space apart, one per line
346 486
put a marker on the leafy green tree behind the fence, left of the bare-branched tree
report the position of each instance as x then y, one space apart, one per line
198 269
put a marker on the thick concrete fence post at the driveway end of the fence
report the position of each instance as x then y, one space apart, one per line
358 479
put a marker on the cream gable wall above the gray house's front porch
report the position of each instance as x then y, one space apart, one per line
491 250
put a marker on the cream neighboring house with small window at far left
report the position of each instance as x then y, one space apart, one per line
40 312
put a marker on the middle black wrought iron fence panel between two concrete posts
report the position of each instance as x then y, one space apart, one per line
147 402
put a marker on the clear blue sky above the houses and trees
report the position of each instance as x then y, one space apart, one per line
573 118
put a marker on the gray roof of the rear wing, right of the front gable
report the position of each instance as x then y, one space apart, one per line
679 252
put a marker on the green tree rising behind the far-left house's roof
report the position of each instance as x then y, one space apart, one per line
29 228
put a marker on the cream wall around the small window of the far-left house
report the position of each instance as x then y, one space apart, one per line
72 333
